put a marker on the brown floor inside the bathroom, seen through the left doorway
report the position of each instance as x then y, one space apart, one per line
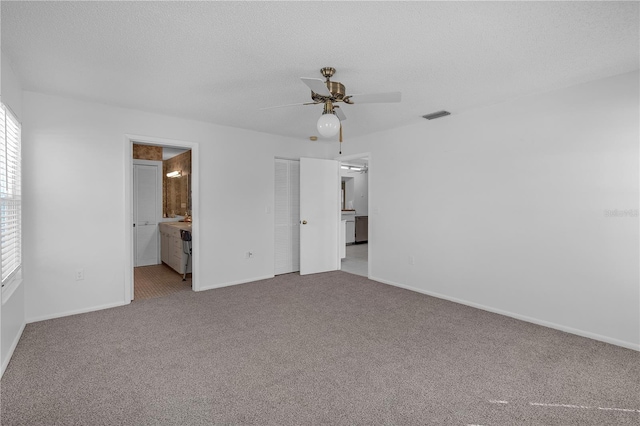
157 281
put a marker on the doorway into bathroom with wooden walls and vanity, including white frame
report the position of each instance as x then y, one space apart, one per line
163 277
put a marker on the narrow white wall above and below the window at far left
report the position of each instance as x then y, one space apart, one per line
12 308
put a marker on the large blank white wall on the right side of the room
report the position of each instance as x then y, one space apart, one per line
505 208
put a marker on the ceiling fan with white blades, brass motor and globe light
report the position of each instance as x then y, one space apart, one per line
330 93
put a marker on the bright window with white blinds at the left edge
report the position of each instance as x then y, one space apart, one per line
10 196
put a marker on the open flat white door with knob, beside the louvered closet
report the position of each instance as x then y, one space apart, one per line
319 215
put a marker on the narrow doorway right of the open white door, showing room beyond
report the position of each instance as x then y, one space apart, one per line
355 188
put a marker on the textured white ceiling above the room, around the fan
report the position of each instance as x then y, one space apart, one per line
221 61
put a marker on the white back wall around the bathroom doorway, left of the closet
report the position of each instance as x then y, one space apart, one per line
74 200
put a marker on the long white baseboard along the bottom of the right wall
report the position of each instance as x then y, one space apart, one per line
594 336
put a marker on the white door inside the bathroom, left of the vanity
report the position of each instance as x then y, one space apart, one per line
147 199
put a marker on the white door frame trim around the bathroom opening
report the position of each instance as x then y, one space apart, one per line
129 140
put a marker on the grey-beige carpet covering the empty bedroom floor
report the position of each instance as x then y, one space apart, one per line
323 349
